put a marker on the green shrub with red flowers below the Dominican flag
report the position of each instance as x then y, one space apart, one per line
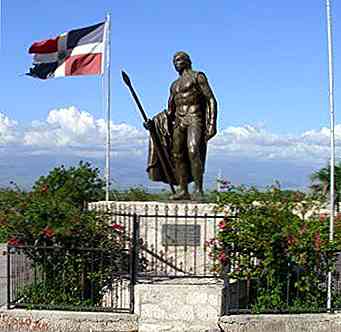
54 228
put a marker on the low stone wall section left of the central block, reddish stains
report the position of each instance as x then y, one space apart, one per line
57 321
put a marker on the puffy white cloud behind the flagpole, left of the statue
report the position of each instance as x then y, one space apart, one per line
81 132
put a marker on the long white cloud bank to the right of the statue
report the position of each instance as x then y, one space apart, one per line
256 142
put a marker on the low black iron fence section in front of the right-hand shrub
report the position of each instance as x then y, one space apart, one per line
249 295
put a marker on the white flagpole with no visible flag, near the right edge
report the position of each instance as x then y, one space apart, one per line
332 141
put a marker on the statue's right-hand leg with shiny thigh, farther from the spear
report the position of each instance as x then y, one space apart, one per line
195 143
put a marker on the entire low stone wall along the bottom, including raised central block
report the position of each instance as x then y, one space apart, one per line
187 311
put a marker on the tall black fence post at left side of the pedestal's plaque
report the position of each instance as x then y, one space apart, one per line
134 260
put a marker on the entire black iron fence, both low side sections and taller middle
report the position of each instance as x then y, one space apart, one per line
167 243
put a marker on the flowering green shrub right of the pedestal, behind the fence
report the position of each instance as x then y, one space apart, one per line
278 240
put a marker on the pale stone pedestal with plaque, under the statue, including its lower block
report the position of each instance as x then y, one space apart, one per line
188 297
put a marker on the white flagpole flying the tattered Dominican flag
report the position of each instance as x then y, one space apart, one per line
107 74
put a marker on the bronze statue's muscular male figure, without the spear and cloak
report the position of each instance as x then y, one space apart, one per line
193 109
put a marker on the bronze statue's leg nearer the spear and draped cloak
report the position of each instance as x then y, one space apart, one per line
181 168
